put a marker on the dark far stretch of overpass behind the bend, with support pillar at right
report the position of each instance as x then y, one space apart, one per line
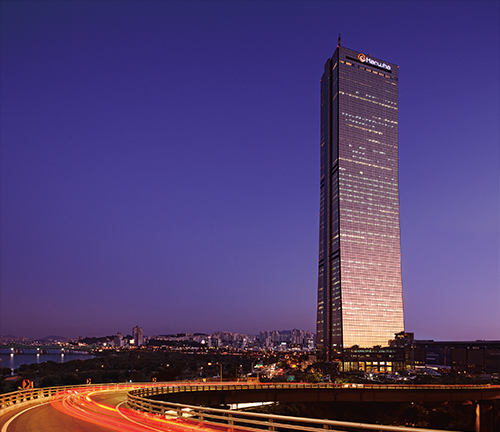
486 397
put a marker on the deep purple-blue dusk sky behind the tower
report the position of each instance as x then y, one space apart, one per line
160 162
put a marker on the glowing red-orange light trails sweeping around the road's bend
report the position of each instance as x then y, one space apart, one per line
79 403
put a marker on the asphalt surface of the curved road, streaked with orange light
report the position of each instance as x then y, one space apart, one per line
89 410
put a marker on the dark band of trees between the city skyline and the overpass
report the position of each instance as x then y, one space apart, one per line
164 365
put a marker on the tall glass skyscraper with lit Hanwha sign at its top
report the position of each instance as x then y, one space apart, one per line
359 282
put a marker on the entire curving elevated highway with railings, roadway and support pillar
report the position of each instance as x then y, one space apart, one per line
189 406
